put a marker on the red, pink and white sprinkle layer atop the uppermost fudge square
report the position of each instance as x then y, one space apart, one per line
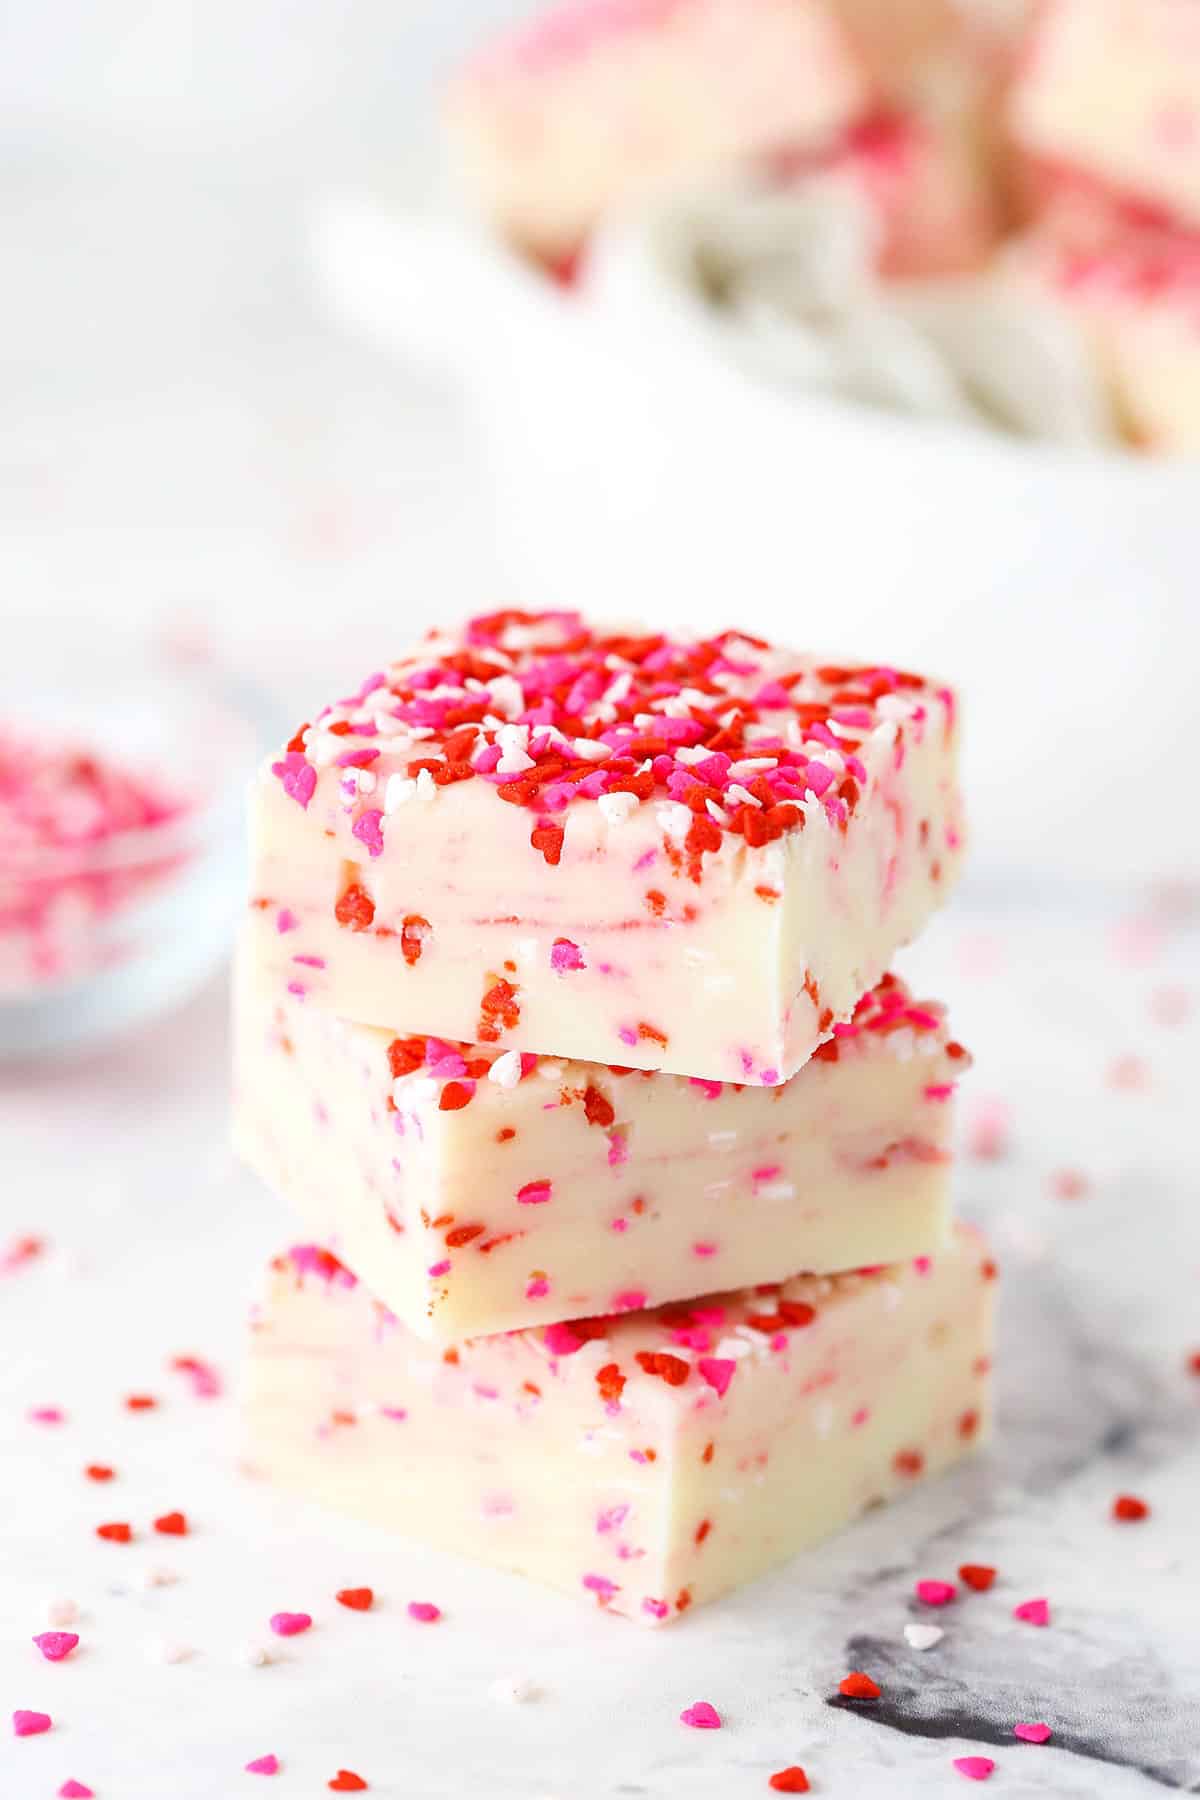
726 735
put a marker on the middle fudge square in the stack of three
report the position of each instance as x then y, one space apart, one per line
479 1191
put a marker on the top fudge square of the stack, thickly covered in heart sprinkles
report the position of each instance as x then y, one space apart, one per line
652 852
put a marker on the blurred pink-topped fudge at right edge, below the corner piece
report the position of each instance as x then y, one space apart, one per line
1138 301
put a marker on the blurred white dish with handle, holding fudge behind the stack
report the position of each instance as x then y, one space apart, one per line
636 471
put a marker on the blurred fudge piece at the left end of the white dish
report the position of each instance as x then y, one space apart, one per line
596 105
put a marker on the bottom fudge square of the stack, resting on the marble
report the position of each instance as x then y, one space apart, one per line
645 1464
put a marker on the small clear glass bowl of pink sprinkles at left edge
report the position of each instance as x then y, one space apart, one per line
121 768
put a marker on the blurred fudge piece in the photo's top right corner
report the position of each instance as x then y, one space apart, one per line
1113 87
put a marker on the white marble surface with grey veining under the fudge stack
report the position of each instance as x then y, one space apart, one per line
154 1241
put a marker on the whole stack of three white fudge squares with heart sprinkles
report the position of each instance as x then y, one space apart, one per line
564 1021
